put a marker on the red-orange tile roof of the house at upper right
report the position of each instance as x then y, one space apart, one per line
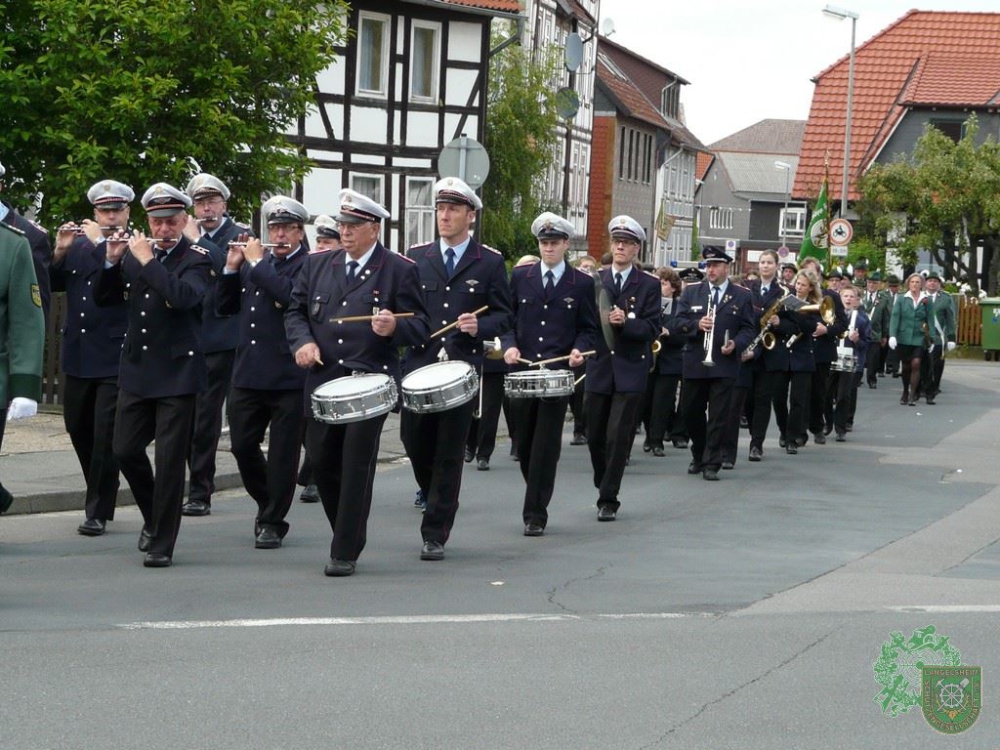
882 84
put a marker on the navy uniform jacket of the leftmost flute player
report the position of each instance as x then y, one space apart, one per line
92 337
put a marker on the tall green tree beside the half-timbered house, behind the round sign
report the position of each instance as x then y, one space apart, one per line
521 139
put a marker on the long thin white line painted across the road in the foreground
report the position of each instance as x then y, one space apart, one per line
400 620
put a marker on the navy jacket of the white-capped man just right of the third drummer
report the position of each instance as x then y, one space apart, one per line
625 368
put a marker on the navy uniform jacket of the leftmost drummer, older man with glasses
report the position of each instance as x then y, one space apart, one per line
321 293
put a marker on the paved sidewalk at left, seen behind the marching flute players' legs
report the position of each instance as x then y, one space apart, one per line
41 470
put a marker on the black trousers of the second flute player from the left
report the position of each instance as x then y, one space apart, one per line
168 421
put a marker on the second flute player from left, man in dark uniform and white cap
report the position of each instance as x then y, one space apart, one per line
163 278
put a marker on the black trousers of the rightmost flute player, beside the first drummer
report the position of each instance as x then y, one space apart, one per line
270 482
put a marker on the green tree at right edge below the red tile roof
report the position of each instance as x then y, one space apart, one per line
950 195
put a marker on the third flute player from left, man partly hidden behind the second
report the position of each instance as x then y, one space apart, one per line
213 230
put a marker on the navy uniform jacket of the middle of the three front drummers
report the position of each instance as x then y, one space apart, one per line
480 278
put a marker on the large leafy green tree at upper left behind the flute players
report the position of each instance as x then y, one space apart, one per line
144 90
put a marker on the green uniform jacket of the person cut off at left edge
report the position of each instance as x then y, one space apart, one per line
22 325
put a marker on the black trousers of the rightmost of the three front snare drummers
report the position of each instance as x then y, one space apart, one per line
540 425
